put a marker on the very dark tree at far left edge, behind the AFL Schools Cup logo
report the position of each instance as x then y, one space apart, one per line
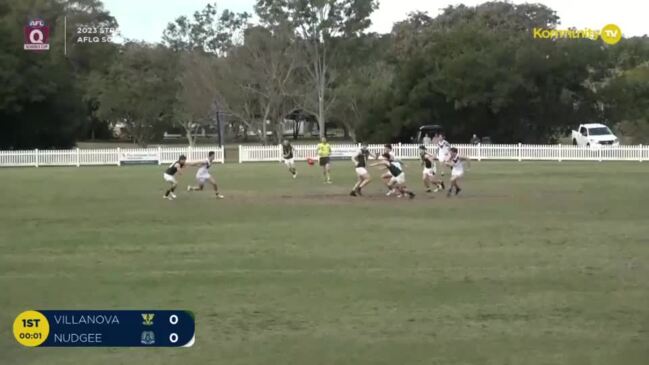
40 102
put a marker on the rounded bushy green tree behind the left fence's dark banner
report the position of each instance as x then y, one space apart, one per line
139 90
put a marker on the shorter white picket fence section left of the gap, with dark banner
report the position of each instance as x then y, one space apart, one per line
96 157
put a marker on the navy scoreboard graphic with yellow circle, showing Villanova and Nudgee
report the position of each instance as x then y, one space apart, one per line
126 328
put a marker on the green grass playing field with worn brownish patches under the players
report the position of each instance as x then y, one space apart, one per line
537 263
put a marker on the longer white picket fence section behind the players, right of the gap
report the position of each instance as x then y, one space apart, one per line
516 152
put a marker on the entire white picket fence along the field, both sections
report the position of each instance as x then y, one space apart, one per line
165 155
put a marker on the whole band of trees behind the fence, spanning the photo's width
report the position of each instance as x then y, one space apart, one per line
471 69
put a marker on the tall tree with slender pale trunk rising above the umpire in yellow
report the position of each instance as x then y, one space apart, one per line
318 23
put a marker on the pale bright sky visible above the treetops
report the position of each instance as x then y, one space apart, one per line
146 19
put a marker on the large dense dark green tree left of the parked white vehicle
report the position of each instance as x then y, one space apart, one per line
479 70
